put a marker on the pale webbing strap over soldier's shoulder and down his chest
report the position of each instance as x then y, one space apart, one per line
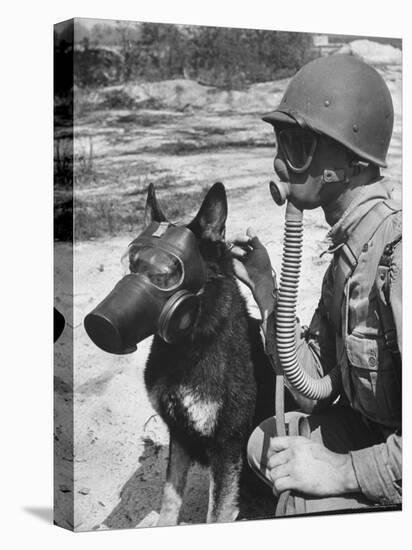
346 258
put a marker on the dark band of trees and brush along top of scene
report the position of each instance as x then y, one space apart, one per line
232 58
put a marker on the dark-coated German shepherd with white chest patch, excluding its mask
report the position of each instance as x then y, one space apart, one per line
205 386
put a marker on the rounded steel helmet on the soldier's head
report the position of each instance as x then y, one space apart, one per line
343 98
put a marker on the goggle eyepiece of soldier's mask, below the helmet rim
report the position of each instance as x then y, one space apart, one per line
298 146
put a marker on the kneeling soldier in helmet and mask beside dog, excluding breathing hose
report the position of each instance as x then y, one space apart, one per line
333 128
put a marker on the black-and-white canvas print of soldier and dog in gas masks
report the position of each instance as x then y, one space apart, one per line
228 274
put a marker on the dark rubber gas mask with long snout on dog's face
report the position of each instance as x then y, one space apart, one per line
159 294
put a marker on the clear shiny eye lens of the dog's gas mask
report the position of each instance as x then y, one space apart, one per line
164 270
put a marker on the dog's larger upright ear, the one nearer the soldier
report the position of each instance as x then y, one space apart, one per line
211 219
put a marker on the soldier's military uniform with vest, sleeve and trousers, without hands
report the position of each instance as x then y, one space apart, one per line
357 326
